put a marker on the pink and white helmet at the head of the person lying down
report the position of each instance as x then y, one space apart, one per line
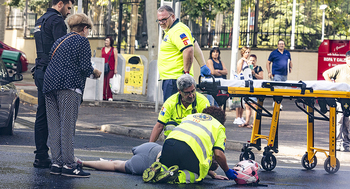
247 172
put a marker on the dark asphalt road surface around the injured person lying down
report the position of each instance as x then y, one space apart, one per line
16 158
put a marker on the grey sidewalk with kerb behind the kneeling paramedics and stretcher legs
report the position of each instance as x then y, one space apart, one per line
133 116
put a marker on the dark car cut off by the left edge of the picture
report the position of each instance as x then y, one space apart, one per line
9 100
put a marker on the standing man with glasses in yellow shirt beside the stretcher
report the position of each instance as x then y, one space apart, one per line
177 50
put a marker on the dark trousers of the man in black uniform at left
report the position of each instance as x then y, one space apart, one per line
40 127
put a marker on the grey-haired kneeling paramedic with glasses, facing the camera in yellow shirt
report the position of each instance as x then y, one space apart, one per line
187 101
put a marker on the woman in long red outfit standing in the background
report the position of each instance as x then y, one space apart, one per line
110 54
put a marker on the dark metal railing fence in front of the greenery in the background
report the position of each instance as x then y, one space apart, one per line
274 22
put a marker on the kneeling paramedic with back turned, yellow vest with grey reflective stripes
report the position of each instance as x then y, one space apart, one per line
192 144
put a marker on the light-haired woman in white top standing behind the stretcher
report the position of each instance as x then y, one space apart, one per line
242 65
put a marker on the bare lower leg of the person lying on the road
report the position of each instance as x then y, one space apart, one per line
116 165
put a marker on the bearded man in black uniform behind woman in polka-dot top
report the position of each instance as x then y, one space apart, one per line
48 29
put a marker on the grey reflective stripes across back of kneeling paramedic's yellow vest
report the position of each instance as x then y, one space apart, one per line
193 135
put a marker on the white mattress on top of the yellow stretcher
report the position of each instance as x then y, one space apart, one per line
315 85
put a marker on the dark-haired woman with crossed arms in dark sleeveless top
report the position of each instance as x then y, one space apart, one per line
217 69
